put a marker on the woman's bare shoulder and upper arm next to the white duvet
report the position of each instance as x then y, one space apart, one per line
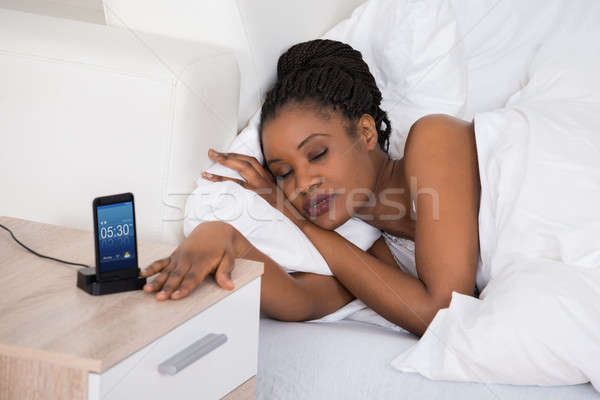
440 167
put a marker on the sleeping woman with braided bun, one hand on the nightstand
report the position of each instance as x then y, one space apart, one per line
325 143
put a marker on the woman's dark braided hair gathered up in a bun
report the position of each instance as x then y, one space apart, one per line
327 74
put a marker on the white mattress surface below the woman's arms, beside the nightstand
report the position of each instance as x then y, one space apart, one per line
351 360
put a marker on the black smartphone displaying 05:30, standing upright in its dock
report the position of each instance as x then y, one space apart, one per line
115 237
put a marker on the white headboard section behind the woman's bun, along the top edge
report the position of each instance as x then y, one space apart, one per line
257 30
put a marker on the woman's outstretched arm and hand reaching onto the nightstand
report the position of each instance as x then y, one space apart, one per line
212 247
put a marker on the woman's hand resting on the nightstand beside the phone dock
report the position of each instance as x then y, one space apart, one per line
209 248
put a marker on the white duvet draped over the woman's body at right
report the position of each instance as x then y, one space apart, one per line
537 321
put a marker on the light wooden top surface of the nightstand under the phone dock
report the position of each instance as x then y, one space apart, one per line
44 315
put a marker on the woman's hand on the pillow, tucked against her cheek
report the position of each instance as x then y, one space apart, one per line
257 179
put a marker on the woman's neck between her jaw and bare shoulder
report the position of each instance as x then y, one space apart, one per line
391 209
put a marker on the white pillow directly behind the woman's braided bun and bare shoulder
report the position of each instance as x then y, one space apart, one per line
414 51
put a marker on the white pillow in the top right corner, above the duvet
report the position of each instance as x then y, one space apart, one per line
500 38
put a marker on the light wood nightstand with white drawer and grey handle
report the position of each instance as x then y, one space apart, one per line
58 342
